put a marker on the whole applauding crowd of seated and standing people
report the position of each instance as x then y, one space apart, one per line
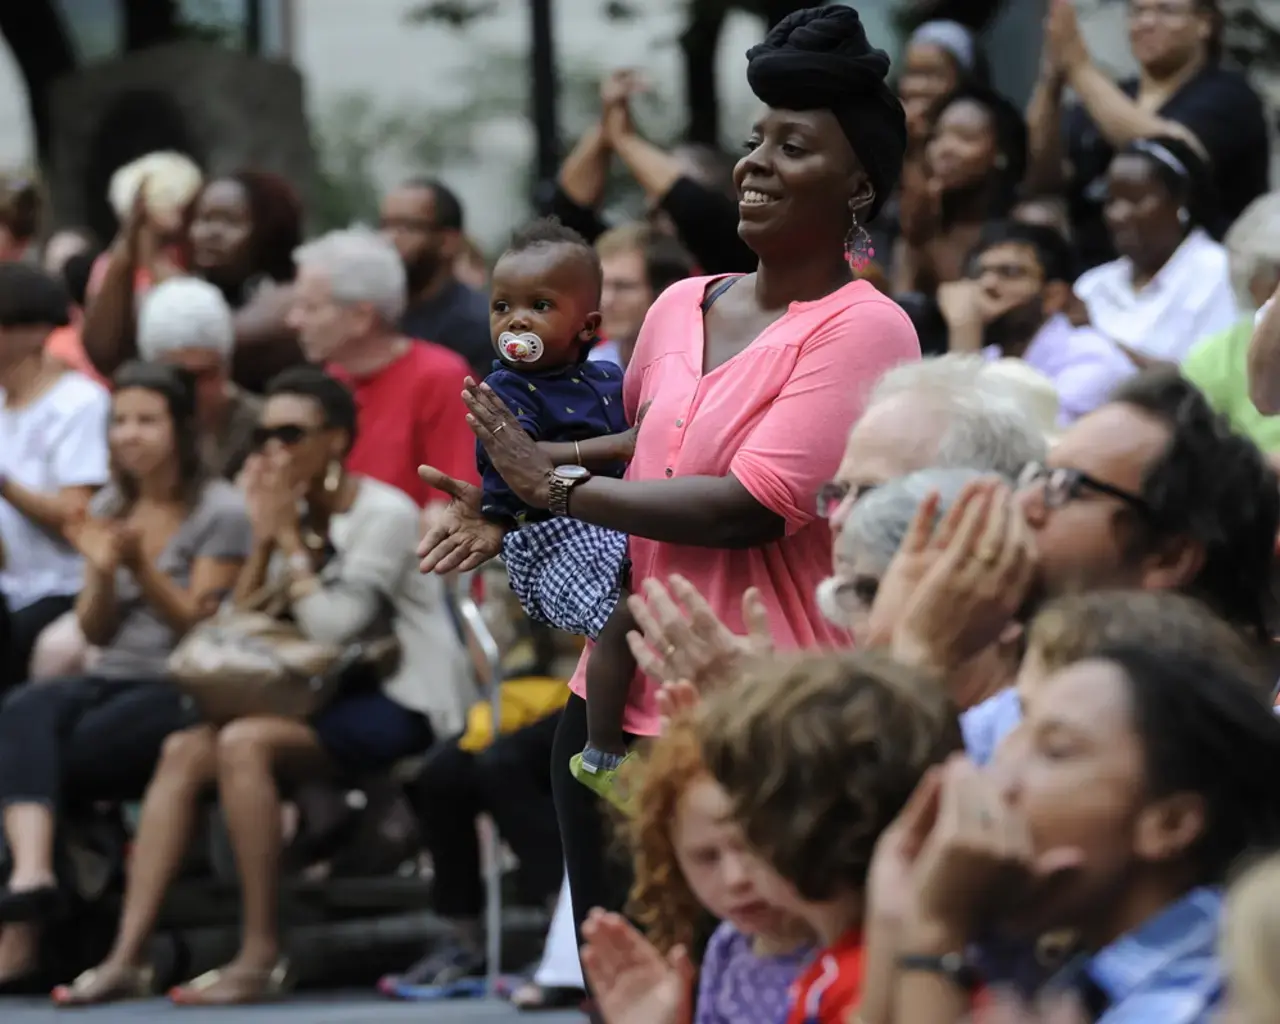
898 505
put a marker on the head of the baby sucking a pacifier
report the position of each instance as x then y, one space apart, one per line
543 307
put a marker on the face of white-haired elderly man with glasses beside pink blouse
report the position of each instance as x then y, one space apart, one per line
894 438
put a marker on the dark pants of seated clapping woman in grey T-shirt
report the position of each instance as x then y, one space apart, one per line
84 739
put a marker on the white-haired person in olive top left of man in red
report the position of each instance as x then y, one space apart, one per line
186 323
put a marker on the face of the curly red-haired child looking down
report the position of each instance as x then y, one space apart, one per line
721 870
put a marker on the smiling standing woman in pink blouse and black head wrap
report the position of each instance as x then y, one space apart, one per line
752 385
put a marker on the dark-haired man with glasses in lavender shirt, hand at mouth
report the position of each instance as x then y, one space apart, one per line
1014 307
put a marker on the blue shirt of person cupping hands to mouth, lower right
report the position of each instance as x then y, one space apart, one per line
1167 971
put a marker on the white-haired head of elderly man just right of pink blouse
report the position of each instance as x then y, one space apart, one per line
948 413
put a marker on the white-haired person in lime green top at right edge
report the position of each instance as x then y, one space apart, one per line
1219 364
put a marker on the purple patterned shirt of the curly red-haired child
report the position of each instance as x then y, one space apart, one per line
739 988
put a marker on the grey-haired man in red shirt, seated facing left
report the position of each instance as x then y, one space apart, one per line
350 298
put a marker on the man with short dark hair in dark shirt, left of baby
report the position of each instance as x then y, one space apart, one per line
424 221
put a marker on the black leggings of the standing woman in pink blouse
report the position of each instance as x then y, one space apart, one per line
598 866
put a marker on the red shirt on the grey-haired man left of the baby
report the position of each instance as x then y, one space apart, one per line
412 413
